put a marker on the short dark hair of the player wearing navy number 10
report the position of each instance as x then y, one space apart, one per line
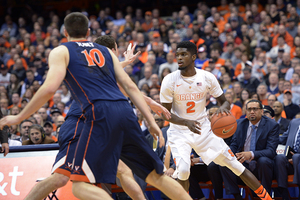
76 24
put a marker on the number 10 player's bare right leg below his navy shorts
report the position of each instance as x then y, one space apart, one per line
167 185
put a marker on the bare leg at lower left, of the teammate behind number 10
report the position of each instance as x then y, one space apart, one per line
45 187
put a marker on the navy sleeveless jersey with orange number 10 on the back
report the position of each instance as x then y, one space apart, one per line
90 74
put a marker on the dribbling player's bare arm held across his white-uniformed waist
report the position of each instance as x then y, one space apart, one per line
193 125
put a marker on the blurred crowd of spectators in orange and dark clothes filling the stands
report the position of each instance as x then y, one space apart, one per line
252 49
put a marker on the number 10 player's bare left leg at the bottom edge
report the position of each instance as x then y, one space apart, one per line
83 190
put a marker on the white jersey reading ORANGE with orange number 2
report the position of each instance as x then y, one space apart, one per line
188 94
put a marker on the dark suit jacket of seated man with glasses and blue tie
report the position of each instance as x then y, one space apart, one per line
267 137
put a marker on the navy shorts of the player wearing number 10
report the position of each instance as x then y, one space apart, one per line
111 128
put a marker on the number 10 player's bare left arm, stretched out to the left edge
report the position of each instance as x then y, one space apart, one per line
58 62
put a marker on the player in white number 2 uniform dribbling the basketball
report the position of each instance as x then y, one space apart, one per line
183 93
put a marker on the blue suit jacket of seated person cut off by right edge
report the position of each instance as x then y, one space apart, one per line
288 137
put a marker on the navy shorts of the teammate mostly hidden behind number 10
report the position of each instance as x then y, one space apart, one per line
68 137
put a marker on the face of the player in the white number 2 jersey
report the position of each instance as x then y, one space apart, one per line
184 58
